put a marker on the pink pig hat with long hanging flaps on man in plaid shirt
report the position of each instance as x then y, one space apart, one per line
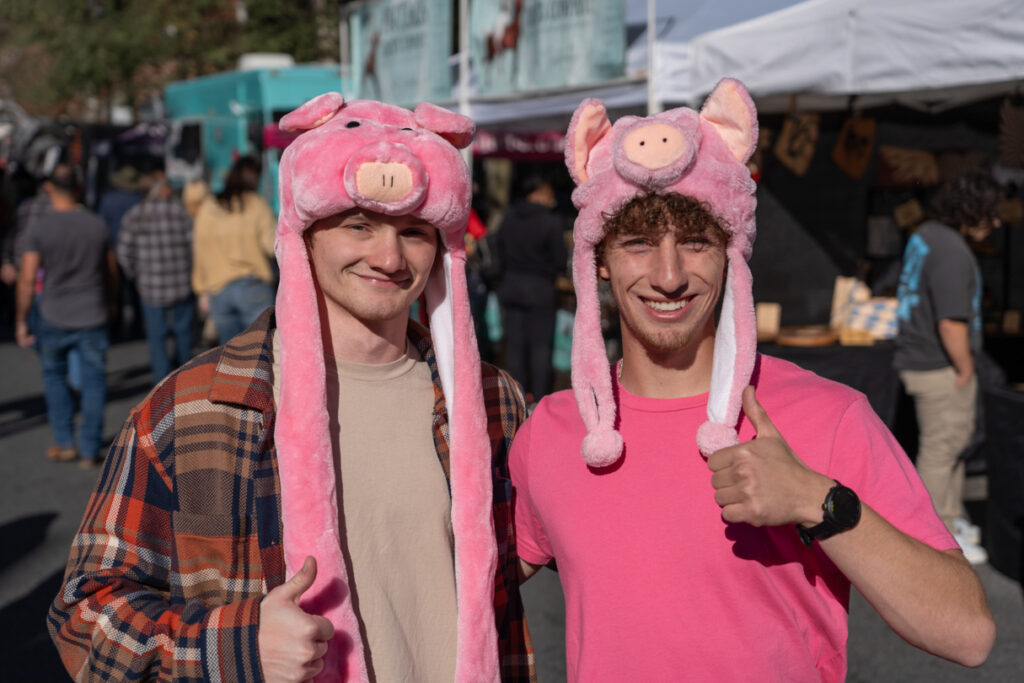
395 162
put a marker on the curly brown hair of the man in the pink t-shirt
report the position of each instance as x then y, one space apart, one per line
654 216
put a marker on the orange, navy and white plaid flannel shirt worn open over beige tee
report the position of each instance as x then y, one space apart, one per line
183 537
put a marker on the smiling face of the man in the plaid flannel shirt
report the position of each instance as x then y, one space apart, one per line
369 267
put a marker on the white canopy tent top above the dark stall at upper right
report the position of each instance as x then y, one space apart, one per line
882 51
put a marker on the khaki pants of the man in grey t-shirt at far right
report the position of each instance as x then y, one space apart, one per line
946 418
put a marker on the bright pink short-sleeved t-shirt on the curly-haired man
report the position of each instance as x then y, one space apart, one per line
658 587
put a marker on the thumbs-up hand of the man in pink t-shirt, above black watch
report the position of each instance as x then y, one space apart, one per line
763 483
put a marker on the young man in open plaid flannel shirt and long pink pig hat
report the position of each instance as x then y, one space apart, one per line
333 444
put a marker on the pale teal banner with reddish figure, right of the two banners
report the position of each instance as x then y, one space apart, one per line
531 46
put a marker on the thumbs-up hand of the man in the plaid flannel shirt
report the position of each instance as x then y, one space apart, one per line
292 644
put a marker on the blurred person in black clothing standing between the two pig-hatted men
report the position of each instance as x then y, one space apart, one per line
532 253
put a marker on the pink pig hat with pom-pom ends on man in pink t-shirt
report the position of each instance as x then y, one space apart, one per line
700 155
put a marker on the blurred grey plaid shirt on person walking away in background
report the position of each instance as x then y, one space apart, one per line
155 250
